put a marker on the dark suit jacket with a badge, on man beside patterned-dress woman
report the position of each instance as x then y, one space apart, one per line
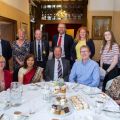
45 49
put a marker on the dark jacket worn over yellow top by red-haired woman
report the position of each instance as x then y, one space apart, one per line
89 43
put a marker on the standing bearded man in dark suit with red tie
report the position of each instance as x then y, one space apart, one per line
64 41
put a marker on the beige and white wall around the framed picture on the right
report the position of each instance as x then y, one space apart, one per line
104 8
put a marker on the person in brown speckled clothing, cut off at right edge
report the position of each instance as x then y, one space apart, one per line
113 89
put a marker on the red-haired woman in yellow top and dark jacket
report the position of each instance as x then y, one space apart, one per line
80 40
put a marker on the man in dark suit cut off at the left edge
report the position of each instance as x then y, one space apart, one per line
5 50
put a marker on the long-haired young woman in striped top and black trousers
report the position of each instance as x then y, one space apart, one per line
109 57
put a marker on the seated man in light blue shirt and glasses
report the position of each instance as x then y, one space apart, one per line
85 71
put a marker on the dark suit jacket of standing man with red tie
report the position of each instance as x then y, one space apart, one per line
68 42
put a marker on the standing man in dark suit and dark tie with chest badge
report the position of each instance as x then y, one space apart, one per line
40 48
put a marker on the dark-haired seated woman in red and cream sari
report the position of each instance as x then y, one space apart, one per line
29 73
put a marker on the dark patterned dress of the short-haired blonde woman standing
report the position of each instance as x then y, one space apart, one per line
19 52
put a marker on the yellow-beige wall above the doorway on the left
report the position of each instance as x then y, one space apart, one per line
10 11
